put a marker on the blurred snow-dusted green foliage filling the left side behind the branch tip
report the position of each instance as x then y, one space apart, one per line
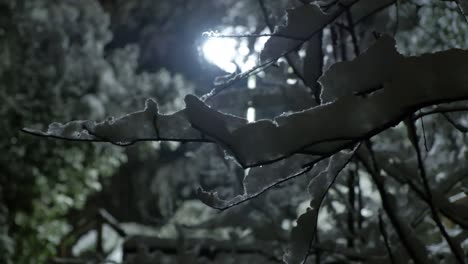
54 65
